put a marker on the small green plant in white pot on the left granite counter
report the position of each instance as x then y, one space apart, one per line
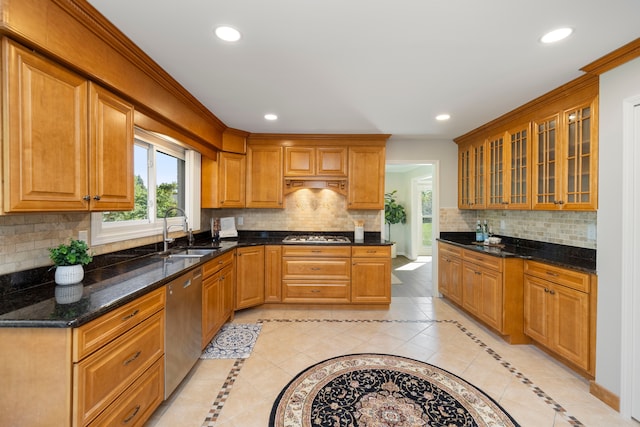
69 259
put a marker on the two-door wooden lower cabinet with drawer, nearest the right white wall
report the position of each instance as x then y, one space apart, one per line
560 316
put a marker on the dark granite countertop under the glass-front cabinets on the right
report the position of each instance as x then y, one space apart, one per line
572 257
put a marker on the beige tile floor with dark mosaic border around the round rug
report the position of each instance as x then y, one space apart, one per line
535 389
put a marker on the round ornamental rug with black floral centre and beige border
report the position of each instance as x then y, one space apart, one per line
382 390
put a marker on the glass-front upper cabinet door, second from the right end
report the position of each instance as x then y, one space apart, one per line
546 180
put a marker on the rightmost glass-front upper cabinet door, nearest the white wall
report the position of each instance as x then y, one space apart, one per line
580 161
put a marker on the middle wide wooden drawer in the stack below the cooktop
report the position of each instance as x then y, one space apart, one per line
313 268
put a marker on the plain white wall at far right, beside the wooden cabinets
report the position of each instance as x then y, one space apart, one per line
615 85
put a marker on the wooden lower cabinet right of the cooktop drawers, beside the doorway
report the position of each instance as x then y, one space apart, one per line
371 274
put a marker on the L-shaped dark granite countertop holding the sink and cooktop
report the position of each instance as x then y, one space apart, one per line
27 299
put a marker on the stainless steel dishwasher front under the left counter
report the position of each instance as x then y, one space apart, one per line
183 330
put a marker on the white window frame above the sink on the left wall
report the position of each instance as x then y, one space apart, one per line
102 233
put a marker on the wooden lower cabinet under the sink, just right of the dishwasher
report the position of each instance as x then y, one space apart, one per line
217 295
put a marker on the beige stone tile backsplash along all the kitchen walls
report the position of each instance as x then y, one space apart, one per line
24 239
